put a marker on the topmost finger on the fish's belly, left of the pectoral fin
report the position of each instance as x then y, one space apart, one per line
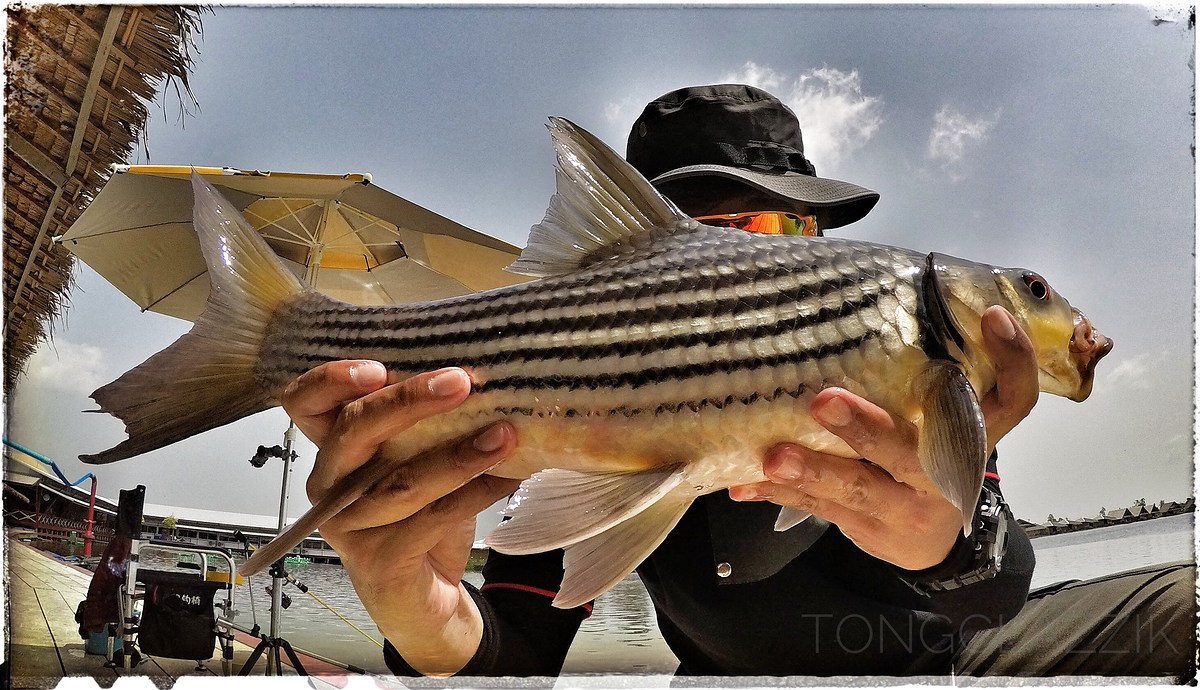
872 433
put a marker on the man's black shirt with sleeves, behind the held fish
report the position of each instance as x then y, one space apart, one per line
734 597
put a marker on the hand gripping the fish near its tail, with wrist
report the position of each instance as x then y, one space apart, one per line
405 543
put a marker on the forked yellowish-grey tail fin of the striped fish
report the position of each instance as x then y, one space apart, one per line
209 376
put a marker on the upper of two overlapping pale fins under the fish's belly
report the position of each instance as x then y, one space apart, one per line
557 508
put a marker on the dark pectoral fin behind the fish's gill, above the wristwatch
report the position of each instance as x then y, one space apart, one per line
953 442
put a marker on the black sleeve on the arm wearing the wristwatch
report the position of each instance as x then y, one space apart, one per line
994 602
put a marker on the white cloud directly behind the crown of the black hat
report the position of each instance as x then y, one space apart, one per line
836 116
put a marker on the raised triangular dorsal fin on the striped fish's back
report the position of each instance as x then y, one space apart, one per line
599 205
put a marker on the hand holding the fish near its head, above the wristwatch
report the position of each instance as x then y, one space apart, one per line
889 507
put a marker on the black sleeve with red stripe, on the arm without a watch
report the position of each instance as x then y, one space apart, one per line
524 635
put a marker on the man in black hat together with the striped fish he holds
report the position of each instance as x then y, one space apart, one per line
682 399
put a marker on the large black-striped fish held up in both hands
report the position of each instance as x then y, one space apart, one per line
655 361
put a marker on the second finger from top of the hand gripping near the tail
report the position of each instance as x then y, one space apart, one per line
368 422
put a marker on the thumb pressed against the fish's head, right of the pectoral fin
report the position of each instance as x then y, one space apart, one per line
1017 374
